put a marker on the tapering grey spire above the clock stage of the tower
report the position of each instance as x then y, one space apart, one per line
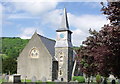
64 24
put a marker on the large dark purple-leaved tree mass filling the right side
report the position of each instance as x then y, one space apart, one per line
103 47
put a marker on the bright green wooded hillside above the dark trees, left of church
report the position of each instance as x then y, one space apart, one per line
12 46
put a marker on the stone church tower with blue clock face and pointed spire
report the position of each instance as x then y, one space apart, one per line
63 50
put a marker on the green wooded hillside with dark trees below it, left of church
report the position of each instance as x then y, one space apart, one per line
11 47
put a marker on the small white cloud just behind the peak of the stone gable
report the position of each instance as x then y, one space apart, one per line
28 32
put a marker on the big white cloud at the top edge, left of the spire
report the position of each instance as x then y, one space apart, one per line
35 8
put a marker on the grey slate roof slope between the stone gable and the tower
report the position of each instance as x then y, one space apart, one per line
49 44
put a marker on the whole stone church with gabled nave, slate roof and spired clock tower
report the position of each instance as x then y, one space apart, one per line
44 58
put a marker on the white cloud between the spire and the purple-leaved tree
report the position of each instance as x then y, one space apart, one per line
83 24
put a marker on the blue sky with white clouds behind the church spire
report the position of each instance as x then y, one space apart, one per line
23 18
